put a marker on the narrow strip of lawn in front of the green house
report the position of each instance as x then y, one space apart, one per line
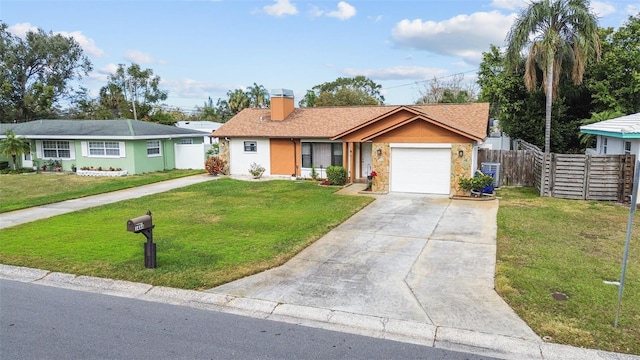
21 191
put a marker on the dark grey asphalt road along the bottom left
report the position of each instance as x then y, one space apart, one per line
42 322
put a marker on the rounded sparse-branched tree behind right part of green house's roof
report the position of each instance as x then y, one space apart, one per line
132 84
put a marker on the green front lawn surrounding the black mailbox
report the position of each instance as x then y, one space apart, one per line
206 234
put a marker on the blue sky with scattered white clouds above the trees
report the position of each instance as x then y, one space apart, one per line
203 49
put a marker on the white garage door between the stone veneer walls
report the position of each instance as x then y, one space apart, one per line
420 170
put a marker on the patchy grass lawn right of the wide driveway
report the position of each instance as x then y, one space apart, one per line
548 245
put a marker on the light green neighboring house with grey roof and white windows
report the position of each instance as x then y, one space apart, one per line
130 145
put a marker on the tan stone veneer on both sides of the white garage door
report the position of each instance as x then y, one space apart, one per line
460 166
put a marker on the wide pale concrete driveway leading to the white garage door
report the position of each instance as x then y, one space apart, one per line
409 257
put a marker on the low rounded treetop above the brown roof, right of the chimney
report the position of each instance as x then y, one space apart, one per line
358 90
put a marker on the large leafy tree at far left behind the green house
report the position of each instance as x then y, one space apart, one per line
36 73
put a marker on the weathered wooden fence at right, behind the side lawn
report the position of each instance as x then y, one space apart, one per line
566 176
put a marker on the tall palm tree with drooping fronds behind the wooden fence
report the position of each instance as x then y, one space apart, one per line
555 31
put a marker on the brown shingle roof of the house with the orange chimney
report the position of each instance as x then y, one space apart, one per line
327 122
